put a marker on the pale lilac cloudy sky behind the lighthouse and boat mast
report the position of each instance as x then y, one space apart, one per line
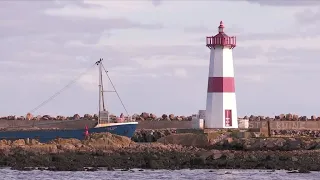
156 56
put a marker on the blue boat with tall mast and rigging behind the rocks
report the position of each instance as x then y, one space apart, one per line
122 127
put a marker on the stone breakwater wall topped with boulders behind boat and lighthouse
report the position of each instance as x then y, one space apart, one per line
151 121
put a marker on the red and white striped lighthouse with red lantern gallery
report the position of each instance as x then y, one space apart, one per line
221 109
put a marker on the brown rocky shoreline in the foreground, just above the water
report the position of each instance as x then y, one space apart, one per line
175 151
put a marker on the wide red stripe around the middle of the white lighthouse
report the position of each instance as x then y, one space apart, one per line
221 84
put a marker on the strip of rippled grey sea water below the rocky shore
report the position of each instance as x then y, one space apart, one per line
135 174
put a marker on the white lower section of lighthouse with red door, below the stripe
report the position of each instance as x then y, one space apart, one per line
221 111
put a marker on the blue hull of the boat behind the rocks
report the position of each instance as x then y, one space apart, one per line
123 129
